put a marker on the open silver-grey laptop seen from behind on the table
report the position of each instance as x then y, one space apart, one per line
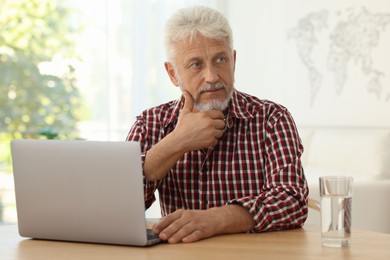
84 191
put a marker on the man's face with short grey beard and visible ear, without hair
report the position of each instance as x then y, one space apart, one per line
205 69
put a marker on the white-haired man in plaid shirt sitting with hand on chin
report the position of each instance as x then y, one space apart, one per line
223 161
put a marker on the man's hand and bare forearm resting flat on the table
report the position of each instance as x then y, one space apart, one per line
193 225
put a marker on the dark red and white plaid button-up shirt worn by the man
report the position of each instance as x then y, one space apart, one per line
255 164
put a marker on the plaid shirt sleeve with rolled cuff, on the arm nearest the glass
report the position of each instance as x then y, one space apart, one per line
282 203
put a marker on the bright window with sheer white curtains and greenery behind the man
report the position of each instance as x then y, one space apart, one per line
104 57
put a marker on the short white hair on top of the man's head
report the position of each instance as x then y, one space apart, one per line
188 22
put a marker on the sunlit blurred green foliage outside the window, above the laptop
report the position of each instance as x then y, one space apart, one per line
39 97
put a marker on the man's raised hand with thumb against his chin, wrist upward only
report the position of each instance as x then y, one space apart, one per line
197 130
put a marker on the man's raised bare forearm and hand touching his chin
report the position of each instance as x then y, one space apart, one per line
194 131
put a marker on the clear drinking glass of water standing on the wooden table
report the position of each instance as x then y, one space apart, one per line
336 209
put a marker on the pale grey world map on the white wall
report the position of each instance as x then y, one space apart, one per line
351 37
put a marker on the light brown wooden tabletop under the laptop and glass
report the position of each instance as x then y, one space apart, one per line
292 244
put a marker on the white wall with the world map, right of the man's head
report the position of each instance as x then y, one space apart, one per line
267 34
